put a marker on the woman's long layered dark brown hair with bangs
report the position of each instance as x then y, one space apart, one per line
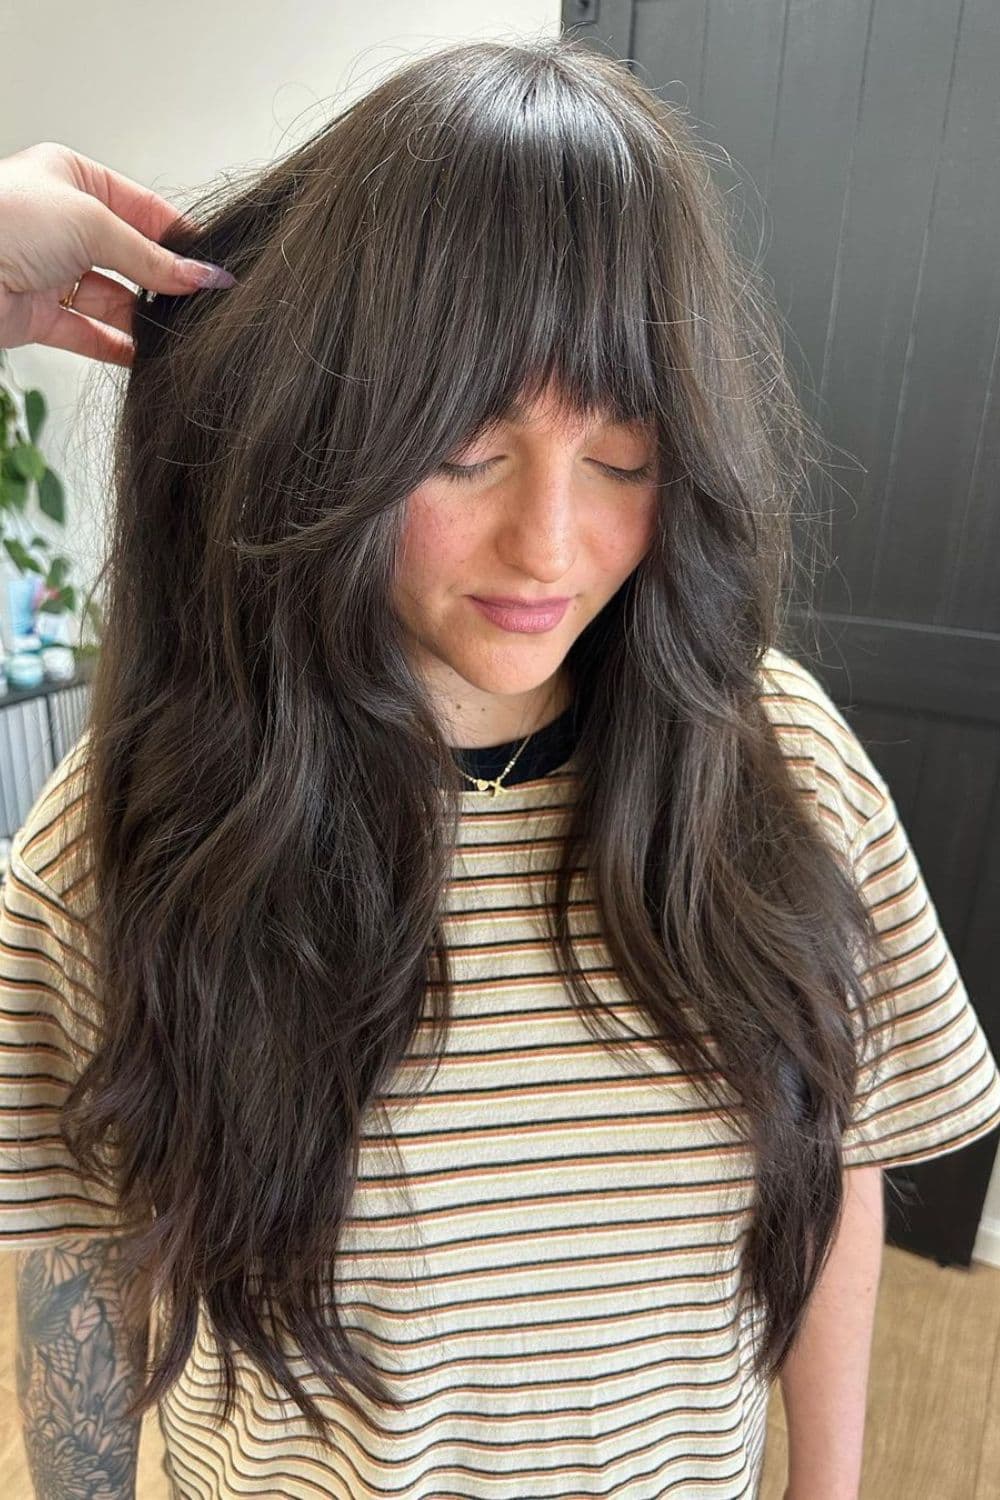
271 805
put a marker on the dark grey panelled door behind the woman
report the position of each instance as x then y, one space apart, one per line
866 149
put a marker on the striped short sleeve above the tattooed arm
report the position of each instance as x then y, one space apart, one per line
44 1043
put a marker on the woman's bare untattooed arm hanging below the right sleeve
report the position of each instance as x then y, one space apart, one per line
825 1379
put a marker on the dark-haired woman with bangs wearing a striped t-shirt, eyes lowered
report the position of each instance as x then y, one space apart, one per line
463 1019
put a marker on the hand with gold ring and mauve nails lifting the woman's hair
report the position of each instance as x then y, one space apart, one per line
62 214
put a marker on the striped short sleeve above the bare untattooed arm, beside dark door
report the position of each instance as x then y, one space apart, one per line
929 1082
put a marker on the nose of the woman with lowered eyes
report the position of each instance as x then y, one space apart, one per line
539 529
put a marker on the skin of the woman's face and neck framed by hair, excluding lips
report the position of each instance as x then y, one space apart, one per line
546 518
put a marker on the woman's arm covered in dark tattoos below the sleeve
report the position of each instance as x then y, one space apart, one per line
76 1375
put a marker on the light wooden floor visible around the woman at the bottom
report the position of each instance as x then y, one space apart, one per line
933 1429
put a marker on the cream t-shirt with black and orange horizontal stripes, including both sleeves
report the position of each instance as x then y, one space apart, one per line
554 1289
